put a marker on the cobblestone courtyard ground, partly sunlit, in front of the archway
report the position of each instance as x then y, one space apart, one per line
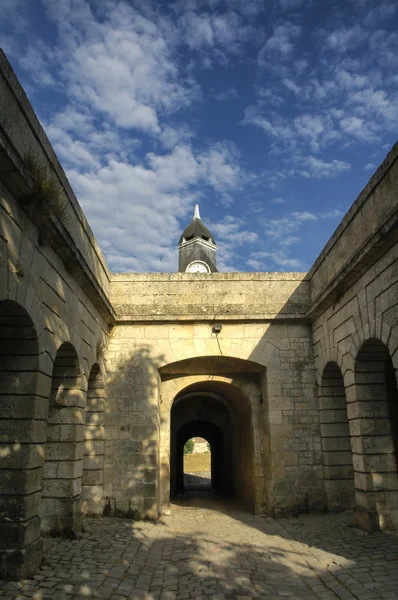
207 551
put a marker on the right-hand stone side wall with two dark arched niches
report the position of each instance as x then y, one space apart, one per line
354 314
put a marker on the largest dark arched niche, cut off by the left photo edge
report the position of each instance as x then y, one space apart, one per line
23 411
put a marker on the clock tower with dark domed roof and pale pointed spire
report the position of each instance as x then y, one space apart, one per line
197 248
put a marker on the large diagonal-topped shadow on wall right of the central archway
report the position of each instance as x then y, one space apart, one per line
292 446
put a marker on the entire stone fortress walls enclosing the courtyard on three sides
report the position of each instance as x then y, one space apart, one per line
102 372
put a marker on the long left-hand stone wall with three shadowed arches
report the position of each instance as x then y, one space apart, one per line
54 314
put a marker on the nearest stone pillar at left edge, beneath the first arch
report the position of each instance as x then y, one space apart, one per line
22 434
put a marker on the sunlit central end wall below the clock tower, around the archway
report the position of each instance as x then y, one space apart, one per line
164 334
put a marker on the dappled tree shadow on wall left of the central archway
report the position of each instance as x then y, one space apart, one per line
131 436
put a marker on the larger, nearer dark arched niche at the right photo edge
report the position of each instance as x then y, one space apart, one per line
373 416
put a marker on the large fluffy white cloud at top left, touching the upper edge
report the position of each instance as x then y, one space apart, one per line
122 66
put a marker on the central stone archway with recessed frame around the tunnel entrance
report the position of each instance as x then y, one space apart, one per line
236 385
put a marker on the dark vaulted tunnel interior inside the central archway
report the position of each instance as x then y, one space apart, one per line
224 419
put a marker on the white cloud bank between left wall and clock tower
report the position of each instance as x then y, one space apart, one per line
142 229
